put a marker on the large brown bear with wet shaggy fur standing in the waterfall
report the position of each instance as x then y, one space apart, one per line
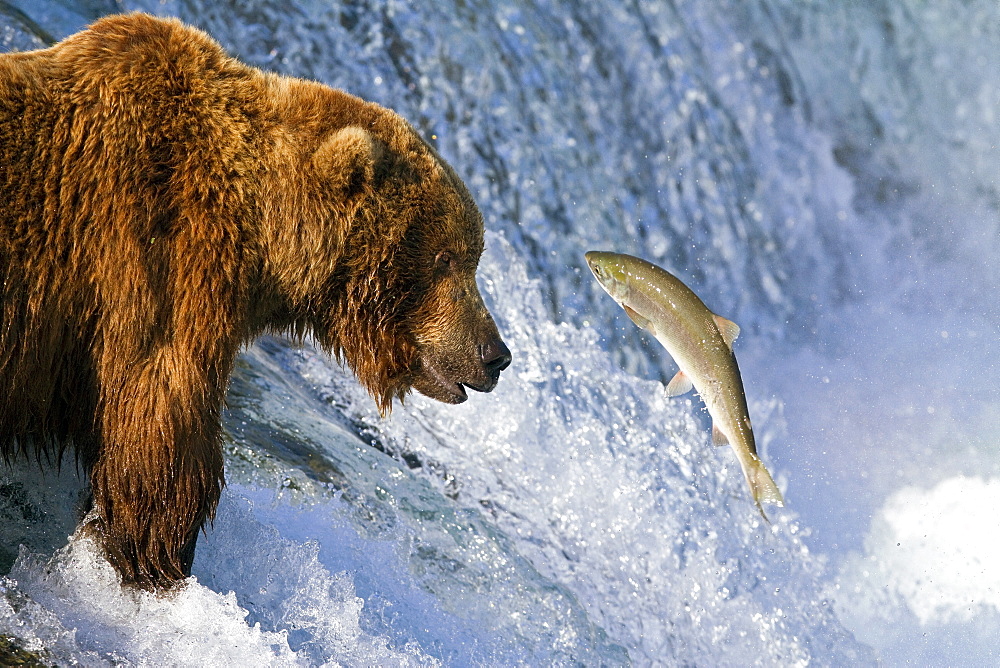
162 204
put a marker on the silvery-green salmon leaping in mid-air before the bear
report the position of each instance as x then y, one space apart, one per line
701 344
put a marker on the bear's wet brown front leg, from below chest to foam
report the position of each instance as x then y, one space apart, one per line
159 472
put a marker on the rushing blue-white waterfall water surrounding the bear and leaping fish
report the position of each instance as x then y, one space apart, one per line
821 173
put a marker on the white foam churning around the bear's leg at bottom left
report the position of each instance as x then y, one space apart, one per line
71 606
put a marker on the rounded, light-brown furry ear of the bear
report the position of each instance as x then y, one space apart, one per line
345 161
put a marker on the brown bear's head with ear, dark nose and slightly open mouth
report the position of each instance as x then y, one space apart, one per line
394 252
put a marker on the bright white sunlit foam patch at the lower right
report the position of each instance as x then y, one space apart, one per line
928 583
